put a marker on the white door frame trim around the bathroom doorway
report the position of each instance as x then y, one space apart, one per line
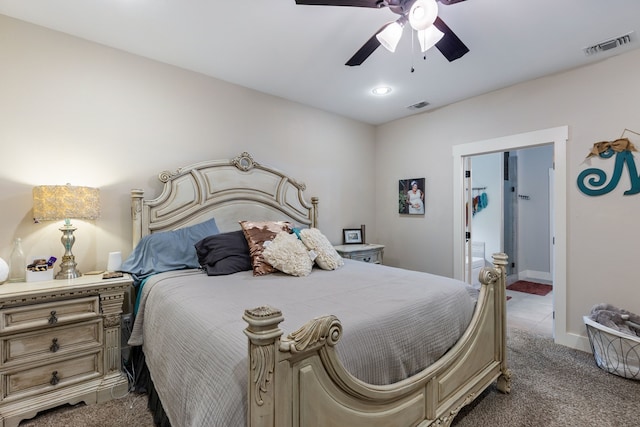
557 136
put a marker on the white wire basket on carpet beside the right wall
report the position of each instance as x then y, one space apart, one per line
615 352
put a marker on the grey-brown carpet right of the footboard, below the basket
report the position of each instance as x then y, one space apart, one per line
554 386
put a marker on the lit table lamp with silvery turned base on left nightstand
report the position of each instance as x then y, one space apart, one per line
56 202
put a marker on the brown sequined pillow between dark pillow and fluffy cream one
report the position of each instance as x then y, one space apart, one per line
258 232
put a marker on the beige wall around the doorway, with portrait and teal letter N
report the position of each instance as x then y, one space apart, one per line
597 103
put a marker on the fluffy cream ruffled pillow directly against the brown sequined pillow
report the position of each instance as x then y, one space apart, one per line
288 254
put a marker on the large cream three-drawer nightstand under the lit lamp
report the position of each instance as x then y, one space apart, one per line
59 343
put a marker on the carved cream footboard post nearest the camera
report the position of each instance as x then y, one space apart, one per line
264 340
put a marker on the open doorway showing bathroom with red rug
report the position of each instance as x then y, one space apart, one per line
511 214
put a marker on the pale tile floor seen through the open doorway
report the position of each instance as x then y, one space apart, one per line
531 312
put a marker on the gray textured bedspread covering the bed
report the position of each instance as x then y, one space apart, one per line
395 323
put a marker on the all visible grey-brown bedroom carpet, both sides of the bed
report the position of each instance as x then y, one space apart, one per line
552 386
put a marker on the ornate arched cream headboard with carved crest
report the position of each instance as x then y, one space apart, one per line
229 190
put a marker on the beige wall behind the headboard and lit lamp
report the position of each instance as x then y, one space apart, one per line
78 112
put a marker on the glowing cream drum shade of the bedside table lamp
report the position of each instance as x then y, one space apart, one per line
55 202
